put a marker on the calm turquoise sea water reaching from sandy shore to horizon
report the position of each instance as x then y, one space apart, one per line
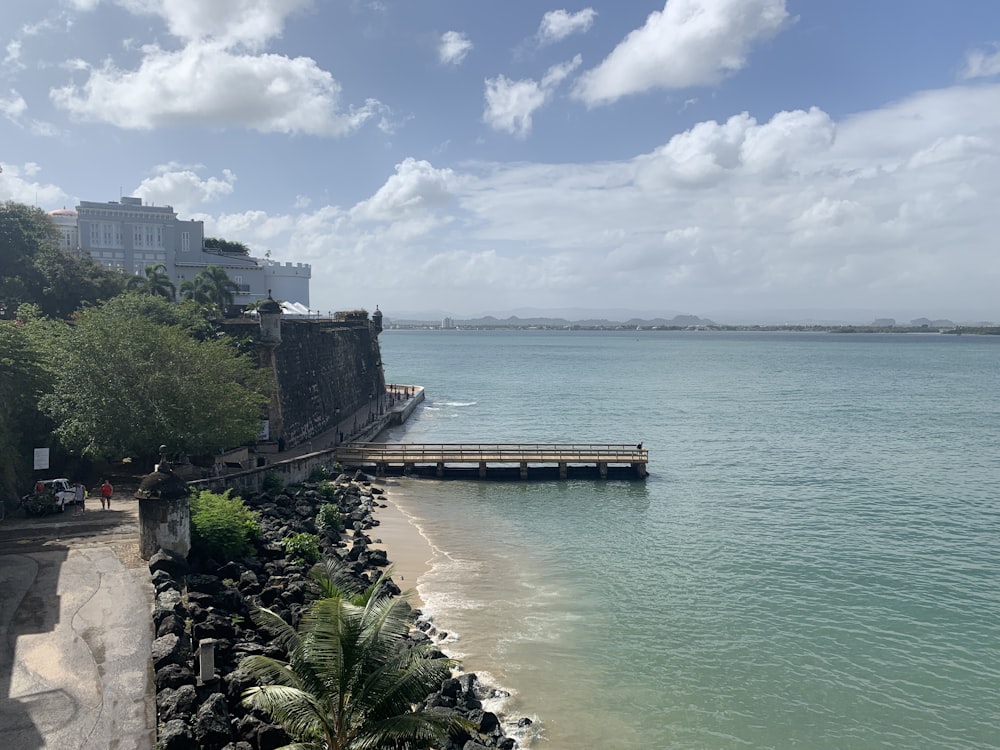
814 561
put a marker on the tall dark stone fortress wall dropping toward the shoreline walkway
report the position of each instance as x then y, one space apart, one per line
323 368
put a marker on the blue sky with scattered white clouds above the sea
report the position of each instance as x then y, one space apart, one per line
469 157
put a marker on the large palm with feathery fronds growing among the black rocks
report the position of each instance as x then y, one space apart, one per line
350 683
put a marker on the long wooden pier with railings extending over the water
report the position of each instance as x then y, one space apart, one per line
498 460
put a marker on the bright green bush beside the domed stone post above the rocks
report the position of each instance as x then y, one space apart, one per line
222 526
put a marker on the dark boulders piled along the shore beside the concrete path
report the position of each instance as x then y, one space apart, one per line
203 600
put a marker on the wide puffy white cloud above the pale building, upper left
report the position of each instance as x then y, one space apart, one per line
205 84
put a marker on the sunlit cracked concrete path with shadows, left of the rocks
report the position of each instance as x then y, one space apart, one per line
76 632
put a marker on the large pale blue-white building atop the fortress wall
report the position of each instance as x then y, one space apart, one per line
130 236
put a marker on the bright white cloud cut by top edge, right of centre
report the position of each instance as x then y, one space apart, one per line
688 43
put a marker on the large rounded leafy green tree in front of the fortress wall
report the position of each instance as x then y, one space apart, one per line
125 384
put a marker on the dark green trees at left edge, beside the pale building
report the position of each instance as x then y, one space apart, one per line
33 269
